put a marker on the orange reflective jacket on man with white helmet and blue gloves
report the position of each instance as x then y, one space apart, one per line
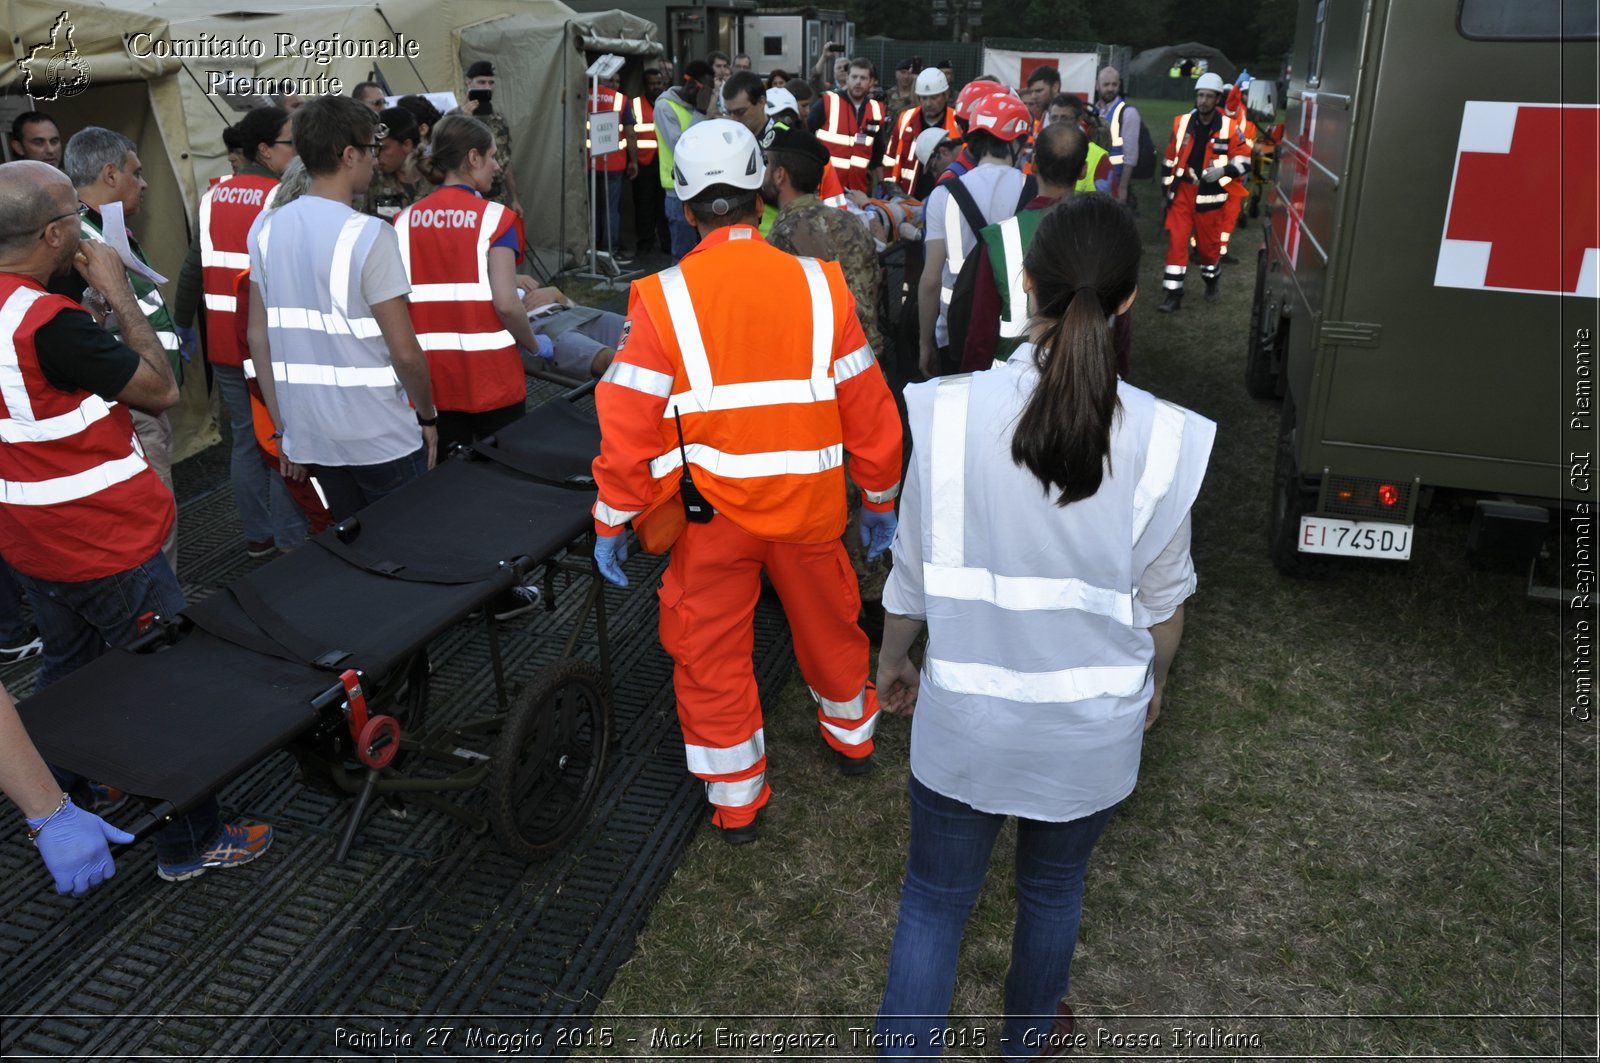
772 393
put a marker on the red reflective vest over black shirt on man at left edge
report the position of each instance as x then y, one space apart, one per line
78 499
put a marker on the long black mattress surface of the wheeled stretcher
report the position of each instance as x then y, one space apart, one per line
182 723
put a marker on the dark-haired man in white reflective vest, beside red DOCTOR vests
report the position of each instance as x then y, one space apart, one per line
330 335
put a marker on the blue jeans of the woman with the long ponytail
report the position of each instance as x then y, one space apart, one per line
945 870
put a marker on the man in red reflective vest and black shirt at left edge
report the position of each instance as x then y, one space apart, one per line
84 515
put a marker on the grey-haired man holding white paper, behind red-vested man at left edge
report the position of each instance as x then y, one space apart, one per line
105 169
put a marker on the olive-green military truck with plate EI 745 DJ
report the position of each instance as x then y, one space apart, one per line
1430 284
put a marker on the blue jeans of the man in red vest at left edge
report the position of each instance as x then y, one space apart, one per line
79 622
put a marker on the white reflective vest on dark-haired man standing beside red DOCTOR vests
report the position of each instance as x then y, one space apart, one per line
321 267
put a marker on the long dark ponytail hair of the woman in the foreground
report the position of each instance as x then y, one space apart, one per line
1084 263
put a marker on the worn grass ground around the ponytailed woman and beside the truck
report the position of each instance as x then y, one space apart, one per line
1348 836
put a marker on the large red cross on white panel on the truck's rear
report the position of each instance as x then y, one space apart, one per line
1526 204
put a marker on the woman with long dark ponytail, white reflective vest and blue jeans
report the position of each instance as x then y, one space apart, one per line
1044 540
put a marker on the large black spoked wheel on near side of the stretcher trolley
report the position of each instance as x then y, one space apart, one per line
550 760
